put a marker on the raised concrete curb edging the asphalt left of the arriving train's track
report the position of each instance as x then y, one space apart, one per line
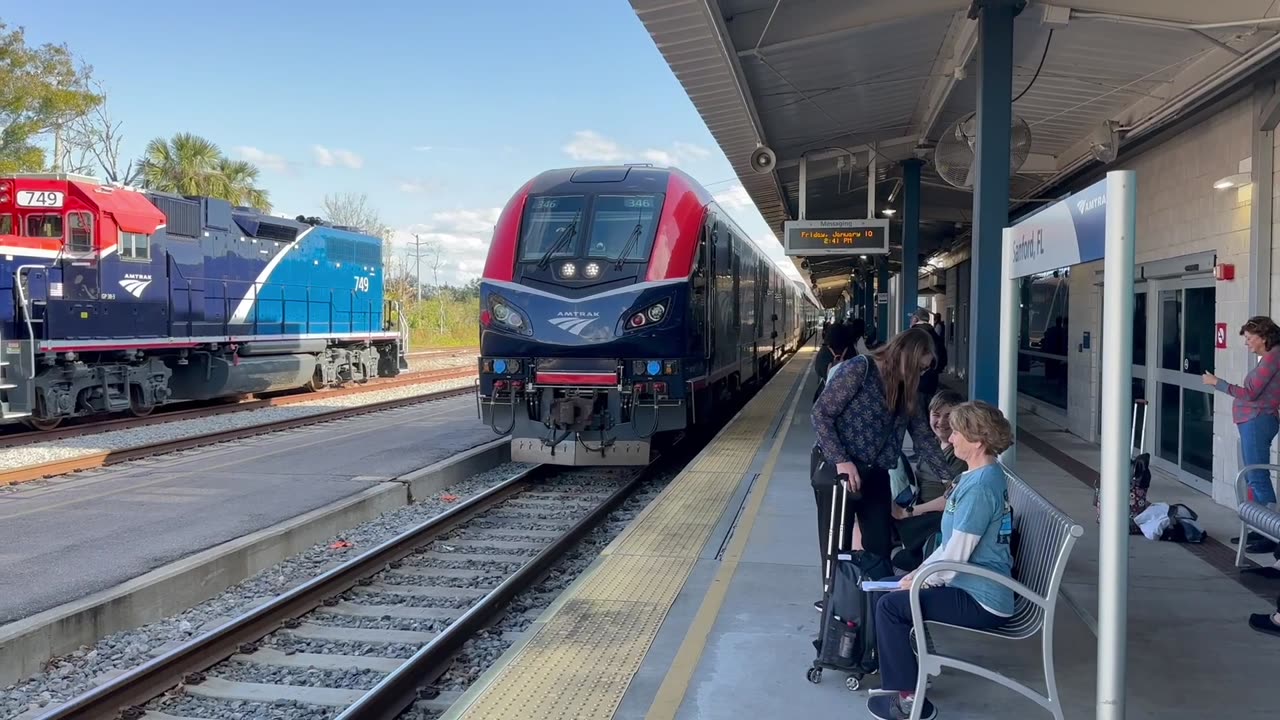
28 644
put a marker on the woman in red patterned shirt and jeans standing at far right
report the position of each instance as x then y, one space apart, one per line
1256 412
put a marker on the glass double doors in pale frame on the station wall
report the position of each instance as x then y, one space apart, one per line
1183 407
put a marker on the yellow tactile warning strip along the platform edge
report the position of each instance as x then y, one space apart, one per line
580 663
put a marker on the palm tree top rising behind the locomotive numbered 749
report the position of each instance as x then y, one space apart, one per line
189 165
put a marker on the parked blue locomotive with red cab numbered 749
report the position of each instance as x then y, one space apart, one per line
115 299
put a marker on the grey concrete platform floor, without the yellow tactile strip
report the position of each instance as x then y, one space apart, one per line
1191 654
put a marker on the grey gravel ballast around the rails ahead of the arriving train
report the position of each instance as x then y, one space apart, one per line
74 675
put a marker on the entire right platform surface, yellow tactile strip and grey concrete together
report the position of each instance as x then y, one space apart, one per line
735 640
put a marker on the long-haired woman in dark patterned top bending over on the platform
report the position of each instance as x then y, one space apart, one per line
861 420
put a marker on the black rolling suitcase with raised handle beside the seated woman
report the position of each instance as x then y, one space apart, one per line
847 635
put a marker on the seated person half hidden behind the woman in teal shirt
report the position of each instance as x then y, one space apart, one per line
917 525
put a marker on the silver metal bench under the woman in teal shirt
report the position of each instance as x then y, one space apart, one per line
1045 540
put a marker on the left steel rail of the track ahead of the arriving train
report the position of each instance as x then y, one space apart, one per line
125 695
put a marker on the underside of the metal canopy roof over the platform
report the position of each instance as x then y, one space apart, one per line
839 83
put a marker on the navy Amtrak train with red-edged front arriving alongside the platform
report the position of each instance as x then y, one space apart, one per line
620 304
